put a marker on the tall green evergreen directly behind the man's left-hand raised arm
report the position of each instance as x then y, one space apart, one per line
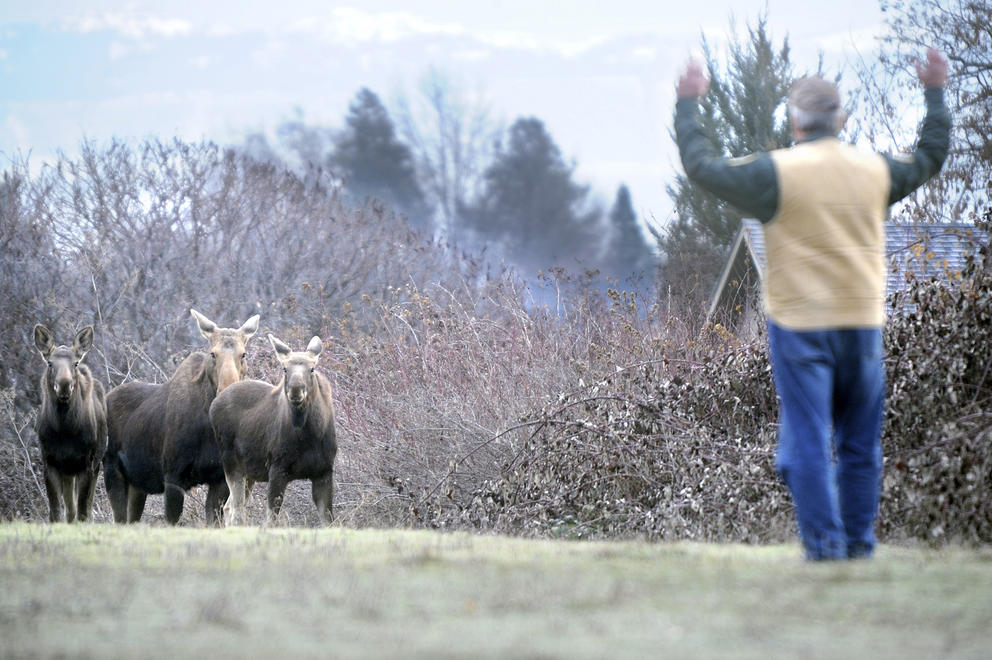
741 115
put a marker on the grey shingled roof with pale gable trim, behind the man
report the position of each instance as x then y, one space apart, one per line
911 250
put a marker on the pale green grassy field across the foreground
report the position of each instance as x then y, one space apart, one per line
144 591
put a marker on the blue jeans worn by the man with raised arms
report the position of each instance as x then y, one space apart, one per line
831 389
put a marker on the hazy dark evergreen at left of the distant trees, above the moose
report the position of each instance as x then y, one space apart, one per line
373 162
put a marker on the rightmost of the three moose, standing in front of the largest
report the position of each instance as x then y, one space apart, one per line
278 433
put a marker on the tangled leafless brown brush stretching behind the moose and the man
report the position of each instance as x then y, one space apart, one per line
465 400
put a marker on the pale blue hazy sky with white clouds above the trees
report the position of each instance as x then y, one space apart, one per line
600 75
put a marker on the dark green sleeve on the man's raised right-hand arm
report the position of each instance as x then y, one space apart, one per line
910 171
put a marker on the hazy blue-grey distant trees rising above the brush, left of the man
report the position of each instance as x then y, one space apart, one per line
509 195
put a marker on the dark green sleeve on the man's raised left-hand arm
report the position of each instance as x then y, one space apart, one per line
749 183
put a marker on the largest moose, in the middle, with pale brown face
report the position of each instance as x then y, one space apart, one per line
160 438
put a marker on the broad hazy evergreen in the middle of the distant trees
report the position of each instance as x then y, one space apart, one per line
530 209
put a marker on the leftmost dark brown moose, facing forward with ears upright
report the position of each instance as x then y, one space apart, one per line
72 425
